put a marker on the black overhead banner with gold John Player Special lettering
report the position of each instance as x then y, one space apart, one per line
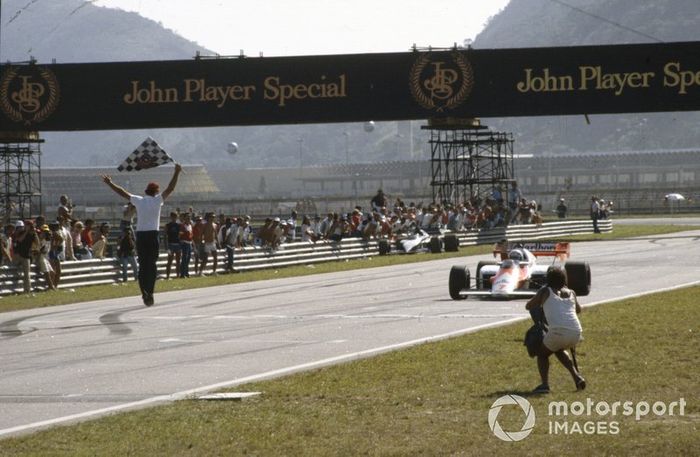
351 88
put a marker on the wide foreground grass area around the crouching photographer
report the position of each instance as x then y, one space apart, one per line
433 399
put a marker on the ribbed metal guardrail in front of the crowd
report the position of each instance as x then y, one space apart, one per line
108 271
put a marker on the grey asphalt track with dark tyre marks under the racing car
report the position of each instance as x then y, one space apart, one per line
80 361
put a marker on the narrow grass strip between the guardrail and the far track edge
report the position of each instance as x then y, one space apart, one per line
83 294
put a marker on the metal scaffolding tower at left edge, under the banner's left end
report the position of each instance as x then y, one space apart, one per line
20 176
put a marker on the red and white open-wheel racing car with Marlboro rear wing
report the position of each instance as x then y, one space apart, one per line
518 274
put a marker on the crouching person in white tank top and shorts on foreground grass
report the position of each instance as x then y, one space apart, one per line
554 309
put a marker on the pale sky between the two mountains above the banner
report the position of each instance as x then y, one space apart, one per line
316 27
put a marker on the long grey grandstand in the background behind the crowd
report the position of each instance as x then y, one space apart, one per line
631 179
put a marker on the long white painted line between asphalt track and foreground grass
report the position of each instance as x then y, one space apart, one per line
293 369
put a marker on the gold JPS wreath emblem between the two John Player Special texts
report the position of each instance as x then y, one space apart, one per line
441 84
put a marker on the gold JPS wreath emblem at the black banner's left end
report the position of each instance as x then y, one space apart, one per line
28 94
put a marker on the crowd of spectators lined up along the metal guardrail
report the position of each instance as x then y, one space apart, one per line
193 239
